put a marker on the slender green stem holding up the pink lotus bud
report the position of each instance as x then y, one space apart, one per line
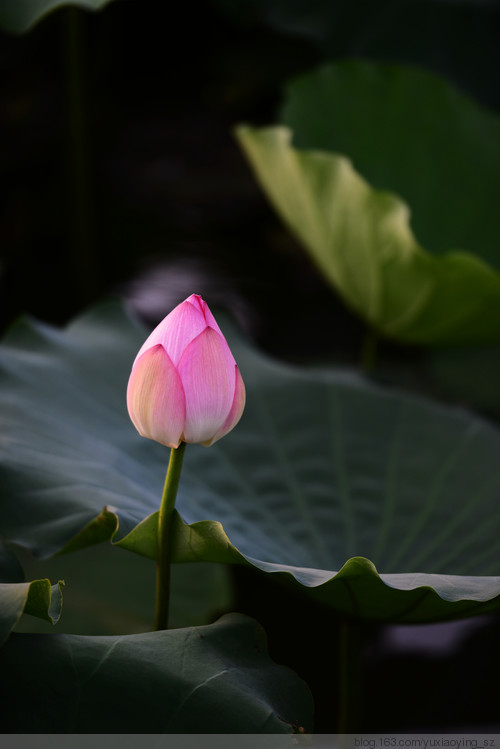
164 536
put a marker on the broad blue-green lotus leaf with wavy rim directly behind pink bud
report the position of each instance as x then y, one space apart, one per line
325 472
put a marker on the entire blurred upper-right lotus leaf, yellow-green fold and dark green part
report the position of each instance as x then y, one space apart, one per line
438 158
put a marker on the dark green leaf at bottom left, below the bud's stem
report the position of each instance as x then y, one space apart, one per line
211 679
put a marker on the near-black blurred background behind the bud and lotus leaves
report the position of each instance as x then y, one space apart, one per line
120 175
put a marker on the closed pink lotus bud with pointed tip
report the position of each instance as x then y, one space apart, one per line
185 384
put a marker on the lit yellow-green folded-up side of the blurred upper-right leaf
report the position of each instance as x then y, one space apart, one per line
361 239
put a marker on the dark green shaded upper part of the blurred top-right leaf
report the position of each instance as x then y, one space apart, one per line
411 133
